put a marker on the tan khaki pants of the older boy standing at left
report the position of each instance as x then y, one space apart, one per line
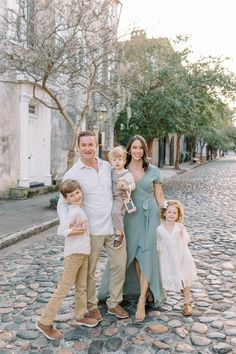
75 273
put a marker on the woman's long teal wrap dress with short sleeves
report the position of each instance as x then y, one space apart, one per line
141 241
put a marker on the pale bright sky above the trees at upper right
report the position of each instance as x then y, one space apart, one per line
210 23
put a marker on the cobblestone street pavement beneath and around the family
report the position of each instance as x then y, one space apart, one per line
31 268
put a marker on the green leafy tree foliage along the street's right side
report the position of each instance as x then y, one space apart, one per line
168 97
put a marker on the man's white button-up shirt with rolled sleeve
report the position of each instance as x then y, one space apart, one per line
97 196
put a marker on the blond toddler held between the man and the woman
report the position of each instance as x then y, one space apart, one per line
122 185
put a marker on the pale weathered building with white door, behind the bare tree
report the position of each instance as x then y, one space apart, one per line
34 140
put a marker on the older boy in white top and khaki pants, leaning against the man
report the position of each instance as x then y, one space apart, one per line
76 251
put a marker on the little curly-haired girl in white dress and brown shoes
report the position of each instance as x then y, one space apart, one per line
177 265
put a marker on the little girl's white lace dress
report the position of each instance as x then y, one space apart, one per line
178 269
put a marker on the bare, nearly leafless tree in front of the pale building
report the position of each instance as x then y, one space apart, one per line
58 47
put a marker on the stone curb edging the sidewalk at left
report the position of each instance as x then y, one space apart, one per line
10 239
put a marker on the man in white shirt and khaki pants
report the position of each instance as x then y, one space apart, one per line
94 176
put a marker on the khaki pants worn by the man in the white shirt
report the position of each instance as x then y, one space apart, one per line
117 260
